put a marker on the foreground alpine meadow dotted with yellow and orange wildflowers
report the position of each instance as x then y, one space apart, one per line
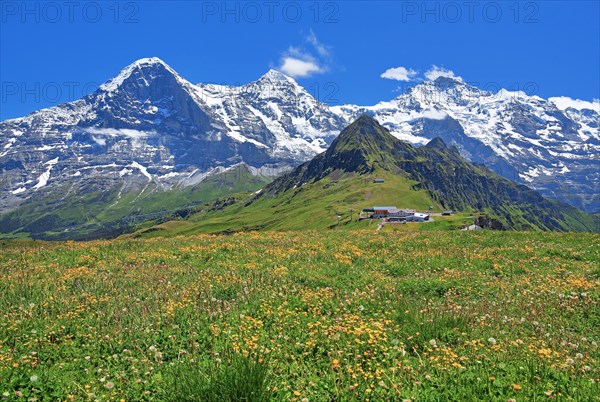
359 315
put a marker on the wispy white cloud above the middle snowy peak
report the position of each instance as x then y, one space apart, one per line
303 61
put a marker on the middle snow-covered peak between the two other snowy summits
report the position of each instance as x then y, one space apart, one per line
274 112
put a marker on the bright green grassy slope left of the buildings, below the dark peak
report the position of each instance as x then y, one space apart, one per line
311 206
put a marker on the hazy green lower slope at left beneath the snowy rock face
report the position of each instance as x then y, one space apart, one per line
83 215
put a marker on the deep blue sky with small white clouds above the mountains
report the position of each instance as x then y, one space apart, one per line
52 52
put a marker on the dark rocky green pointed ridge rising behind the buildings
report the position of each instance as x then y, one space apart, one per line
454 183
